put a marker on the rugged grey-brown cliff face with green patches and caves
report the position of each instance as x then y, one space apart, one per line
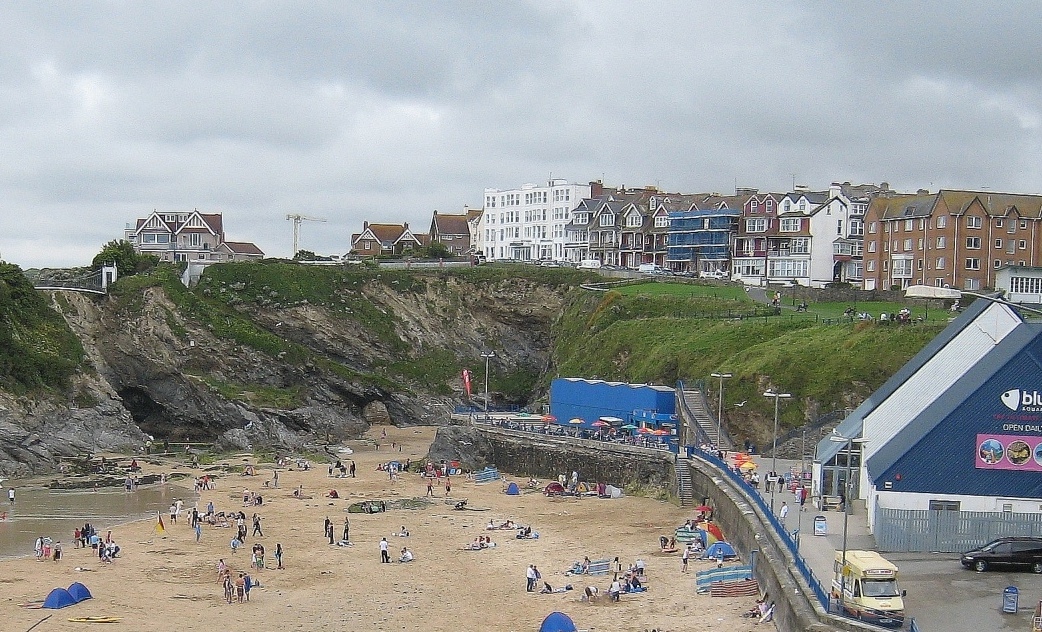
249 368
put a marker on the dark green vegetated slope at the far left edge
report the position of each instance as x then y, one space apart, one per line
38 350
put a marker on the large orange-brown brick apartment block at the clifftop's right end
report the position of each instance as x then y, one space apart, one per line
952 239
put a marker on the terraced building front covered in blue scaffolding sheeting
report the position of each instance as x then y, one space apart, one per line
700 240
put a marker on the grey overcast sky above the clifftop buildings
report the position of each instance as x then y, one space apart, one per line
388 111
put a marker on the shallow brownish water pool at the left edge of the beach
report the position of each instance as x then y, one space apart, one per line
42 513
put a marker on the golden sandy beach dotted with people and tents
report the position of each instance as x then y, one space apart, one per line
168 585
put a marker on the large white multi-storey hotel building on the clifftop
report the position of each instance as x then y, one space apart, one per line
528 223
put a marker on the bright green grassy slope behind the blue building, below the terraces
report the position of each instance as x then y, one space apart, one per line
660 337
